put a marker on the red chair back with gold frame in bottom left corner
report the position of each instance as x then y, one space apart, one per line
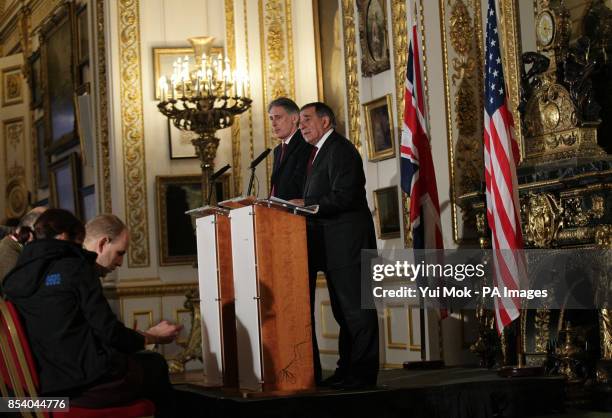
17 367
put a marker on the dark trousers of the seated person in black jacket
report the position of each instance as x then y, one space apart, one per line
135 376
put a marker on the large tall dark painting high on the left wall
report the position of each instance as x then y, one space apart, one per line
58 66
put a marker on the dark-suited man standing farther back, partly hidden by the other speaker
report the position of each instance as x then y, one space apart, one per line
291 155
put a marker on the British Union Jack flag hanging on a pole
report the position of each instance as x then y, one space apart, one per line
418 178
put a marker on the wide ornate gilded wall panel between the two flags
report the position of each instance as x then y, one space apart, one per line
461 27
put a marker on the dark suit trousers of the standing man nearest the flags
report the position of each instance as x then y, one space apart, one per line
358 339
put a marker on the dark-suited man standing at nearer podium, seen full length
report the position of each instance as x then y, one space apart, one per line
336 235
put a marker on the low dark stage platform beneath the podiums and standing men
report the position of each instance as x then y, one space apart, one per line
448 393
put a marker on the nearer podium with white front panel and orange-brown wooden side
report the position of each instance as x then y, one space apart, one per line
270 267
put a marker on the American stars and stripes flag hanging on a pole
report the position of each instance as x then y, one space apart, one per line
501 154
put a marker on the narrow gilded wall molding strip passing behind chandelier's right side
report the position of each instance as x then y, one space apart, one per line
230 42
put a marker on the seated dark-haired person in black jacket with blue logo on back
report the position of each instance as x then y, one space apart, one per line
81 349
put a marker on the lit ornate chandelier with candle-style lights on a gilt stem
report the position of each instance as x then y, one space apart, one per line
203 96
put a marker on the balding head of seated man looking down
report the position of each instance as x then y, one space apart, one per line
107 236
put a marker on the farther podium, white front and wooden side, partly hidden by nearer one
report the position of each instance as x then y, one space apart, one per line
216 285
